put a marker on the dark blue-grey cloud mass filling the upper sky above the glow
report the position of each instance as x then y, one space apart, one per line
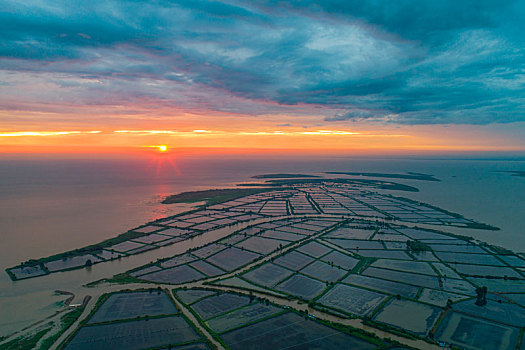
407 62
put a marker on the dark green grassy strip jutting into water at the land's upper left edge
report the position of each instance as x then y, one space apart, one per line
214 196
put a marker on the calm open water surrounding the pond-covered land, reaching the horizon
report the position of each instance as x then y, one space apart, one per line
49 206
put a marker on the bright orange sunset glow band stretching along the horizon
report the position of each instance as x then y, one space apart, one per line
261 136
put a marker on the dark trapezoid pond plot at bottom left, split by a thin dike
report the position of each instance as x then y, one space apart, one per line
135 320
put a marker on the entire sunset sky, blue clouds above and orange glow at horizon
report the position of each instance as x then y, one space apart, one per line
309 75
